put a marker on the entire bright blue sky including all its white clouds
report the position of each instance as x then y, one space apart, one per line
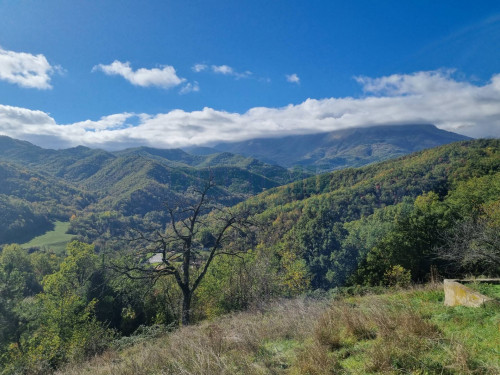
114 74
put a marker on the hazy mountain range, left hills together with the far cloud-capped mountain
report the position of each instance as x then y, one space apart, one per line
39 186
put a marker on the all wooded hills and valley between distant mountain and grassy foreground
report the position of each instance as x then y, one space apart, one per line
404 221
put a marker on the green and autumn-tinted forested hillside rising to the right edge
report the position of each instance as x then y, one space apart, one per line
355 225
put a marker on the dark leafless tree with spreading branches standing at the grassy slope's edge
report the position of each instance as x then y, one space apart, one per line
196 234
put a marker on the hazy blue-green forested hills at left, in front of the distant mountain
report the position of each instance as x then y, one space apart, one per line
40 186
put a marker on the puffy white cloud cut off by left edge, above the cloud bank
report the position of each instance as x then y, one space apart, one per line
26 70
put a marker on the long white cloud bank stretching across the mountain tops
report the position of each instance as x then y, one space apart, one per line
423 97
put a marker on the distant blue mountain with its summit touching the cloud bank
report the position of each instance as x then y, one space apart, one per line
342 148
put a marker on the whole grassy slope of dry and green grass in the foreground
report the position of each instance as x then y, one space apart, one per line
396 332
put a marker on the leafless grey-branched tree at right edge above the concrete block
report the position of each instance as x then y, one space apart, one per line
473 245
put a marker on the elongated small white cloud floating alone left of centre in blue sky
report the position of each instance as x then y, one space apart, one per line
165 77
